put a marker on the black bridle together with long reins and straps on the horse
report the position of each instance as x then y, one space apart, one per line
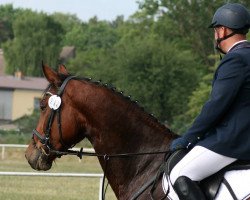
45 140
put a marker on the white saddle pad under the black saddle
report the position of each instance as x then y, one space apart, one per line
239 181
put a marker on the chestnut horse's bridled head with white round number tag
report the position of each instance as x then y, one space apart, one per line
60 125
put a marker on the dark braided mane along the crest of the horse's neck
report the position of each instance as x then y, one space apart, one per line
120 93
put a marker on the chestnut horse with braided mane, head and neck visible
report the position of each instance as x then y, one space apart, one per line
110 121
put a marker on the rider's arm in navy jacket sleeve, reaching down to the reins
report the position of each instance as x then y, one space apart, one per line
228 80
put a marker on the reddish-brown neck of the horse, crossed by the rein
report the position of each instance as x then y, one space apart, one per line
115 126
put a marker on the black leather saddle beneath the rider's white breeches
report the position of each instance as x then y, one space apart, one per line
210 186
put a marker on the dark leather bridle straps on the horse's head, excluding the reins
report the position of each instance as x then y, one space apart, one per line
45 139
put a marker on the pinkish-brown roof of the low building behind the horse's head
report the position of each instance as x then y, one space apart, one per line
29 83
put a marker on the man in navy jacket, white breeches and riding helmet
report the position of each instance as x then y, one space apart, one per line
220 134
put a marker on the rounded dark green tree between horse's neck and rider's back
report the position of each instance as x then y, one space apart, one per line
157 74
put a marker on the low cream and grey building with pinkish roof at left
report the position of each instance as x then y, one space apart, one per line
19 95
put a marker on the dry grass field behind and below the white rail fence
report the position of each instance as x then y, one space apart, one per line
56 188
